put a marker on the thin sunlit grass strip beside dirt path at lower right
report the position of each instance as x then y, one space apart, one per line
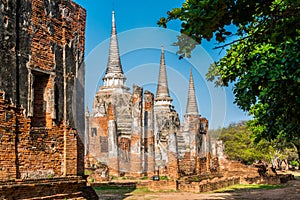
234 188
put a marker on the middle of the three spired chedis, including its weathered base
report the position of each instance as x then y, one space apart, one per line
166 126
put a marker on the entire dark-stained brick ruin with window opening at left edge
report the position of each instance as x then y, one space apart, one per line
41 82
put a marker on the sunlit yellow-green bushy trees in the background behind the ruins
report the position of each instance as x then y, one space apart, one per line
239 145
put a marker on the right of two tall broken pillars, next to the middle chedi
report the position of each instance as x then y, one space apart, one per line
149 151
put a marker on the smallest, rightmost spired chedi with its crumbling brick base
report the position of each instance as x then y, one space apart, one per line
193 144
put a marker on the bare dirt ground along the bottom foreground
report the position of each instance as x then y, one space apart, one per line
290 191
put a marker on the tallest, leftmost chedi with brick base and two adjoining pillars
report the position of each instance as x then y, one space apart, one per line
120 132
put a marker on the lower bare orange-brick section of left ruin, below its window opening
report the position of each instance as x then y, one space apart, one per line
35 152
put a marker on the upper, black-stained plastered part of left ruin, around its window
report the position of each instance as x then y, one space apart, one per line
43 38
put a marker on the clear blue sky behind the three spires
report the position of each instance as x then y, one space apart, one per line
140 41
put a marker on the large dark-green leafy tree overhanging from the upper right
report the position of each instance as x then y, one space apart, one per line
262 58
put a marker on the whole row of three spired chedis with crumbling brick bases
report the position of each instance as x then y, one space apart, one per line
138 134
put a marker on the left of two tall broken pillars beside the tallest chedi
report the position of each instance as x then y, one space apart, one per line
136 135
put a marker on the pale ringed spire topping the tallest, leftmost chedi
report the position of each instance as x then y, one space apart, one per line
114 76
